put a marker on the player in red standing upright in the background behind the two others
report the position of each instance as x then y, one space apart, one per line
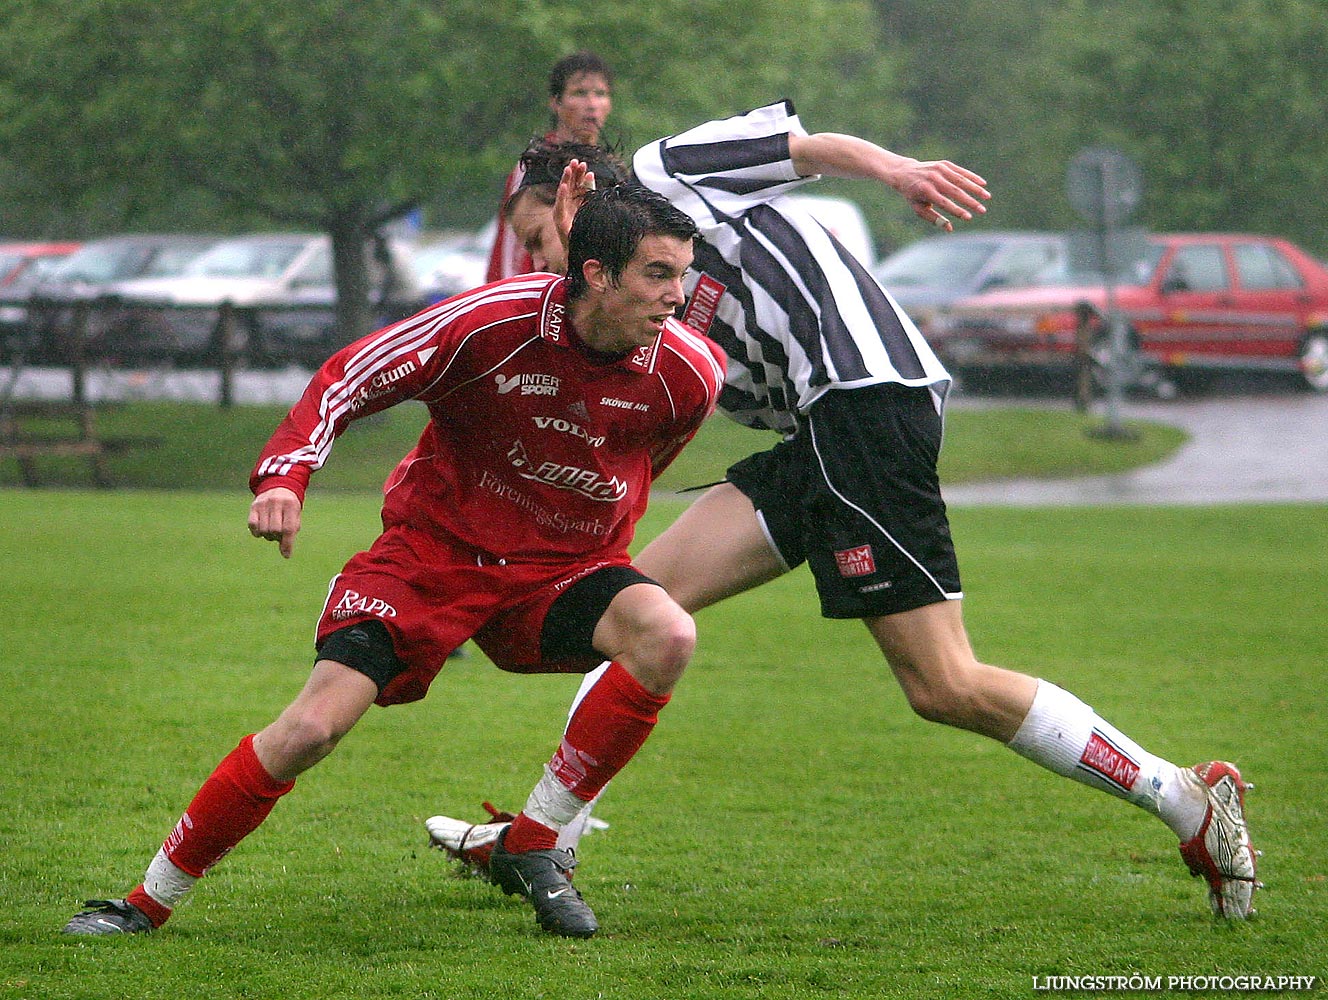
581 96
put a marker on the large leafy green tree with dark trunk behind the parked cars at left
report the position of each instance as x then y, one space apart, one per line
337 116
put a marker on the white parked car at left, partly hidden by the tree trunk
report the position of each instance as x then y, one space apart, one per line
284 282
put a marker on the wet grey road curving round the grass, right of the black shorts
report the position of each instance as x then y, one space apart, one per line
1246 447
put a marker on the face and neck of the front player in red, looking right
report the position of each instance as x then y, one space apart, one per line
631 313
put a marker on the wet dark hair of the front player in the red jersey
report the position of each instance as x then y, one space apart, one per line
612 225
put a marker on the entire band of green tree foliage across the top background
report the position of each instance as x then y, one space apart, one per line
120 115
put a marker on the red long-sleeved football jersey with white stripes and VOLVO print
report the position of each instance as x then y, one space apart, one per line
536 450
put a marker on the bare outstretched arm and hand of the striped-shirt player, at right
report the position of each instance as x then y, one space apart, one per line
932 188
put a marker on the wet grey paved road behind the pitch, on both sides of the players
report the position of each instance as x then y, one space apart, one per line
1250 442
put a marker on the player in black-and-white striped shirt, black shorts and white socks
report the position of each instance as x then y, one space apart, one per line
819 351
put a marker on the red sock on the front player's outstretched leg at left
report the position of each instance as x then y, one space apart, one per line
234 800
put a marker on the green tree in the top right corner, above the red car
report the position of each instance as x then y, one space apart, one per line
1220 102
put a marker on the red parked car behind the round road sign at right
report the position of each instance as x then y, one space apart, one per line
1191 301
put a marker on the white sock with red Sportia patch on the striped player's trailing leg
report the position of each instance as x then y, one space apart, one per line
1068 738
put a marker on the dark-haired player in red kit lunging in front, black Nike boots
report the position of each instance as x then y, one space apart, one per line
553 404
